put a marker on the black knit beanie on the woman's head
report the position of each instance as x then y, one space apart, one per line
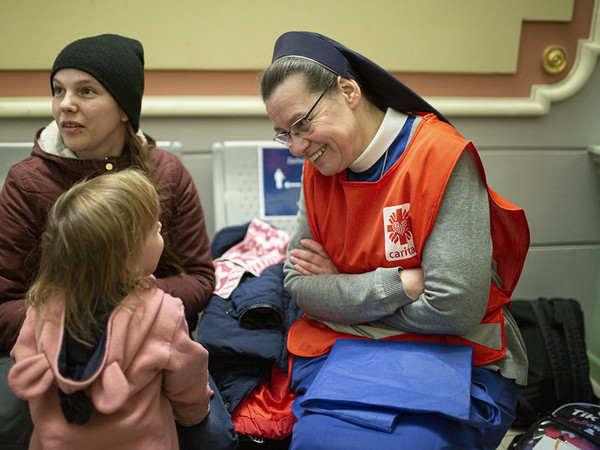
115 61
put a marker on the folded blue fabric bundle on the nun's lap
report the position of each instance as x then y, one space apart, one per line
383 379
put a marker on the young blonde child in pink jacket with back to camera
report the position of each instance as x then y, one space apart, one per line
104 357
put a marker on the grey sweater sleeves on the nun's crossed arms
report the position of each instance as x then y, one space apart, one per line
456 261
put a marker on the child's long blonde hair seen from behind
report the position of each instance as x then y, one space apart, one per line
93 236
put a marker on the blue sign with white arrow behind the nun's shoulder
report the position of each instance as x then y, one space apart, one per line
281 182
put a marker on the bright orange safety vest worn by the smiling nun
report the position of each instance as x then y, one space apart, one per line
366 225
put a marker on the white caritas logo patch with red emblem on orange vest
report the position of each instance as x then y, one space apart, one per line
399 243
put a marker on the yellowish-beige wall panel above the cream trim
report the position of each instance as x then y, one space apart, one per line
470 36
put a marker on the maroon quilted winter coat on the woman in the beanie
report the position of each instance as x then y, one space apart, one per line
33 185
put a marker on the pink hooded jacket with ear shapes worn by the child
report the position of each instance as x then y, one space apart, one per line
151 374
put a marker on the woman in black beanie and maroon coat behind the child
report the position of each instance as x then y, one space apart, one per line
97 85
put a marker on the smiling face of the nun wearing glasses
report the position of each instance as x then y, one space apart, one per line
336 136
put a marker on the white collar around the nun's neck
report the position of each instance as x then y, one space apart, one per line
392 123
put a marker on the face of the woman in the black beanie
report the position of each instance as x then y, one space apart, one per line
91 122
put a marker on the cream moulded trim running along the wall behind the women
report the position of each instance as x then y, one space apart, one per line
538 103
